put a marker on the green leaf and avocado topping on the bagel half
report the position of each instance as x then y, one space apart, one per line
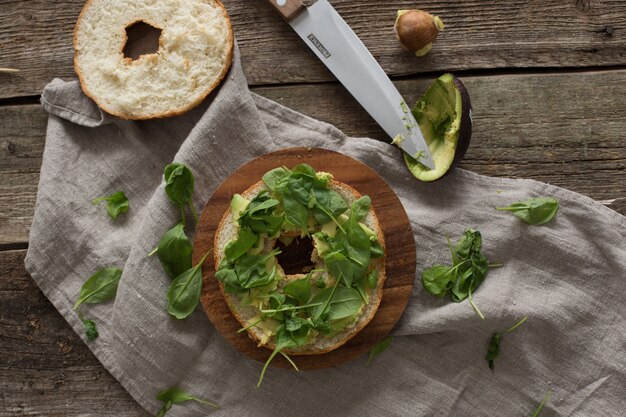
293 311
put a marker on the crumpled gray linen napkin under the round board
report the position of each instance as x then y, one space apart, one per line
567 276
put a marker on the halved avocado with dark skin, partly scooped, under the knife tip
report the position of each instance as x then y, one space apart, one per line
444 116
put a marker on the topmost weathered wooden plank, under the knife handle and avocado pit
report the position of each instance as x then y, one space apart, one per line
36 37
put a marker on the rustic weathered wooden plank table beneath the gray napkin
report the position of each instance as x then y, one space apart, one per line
547 81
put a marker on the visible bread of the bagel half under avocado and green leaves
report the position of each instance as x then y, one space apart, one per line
245 305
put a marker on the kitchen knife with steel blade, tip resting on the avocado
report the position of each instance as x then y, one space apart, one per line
338 47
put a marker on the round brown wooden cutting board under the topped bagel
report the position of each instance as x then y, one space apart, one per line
400 252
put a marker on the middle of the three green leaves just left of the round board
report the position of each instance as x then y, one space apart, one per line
174 251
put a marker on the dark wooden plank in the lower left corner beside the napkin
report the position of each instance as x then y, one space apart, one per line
45 369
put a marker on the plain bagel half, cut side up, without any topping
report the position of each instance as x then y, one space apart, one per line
194 54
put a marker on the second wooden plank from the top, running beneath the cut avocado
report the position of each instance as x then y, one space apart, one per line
563 129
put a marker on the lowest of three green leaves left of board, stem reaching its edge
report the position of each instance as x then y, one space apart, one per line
184 293
